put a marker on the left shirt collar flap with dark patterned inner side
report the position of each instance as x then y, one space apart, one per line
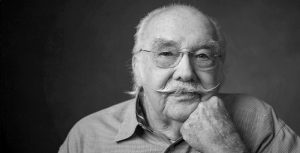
133 117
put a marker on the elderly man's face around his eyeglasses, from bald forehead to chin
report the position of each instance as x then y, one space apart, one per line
187 32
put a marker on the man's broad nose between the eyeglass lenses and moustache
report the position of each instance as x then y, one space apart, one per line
184 70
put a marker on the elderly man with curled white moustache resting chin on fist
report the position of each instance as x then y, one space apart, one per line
178 68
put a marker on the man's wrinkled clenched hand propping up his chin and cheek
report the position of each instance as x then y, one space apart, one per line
209 129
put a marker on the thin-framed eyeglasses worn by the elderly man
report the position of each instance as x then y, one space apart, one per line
168 58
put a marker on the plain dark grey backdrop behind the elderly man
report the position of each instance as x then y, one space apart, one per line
62 60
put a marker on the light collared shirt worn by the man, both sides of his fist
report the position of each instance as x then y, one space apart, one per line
120 129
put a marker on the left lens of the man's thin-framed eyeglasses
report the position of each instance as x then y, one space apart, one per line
166 58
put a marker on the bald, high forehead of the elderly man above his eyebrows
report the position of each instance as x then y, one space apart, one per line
172 28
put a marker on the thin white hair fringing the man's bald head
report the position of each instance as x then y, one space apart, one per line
139 36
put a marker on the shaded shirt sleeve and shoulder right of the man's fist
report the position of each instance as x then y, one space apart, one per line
262 131
